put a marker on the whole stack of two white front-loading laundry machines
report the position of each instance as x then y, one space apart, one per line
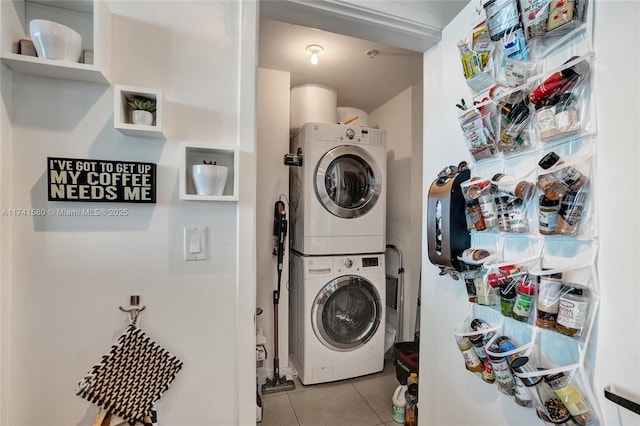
337 241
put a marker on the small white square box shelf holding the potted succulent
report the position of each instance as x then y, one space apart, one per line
122 111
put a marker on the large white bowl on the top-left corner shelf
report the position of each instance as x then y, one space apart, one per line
55 41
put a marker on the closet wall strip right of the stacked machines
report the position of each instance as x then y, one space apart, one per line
401 118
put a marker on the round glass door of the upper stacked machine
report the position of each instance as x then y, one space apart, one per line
348 181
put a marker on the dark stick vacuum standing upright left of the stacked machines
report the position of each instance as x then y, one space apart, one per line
278 384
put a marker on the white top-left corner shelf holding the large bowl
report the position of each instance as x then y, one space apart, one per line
91 19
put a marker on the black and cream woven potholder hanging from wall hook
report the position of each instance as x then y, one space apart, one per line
131 376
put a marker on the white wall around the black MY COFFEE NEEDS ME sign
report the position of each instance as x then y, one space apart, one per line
68 275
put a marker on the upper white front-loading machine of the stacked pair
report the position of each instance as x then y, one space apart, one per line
338 196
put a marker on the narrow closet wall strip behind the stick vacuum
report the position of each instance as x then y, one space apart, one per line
273 184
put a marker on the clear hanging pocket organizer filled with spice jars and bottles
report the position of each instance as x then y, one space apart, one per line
530 205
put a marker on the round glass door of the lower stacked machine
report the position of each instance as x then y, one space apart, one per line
346 313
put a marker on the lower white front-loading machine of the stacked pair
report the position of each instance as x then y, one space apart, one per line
337 316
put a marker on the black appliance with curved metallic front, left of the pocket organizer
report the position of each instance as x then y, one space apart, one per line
447 233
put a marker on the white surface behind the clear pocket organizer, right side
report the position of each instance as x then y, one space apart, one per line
449 386
